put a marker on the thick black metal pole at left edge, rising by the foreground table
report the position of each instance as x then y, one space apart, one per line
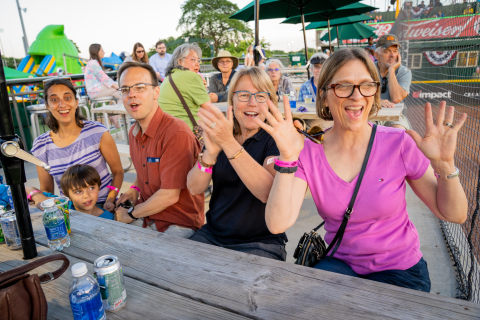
14 171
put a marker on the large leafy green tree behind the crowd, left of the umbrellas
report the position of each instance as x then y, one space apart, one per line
208 19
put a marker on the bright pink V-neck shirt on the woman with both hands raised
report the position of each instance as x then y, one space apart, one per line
379 234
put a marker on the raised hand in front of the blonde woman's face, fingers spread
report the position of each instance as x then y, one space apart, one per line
289 141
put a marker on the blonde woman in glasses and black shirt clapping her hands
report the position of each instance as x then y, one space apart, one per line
238 159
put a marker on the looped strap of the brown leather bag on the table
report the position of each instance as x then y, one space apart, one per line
44 278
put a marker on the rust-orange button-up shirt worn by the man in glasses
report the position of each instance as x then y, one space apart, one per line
162 157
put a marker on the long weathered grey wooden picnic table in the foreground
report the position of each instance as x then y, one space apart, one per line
169 277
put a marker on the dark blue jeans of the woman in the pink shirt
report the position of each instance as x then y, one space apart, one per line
415 278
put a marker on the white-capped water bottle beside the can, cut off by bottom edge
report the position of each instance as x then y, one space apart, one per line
84 295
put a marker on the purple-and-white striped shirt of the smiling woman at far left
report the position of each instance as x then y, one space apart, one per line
84 150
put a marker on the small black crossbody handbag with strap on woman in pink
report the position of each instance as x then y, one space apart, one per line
311 248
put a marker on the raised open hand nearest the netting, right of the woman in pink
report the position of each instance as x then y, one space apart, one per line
440 141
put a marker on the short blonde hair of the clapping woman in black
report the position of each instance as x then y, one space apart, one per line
260 80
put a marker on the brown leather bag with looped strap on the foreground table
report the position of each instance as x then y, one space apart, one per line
21 294
